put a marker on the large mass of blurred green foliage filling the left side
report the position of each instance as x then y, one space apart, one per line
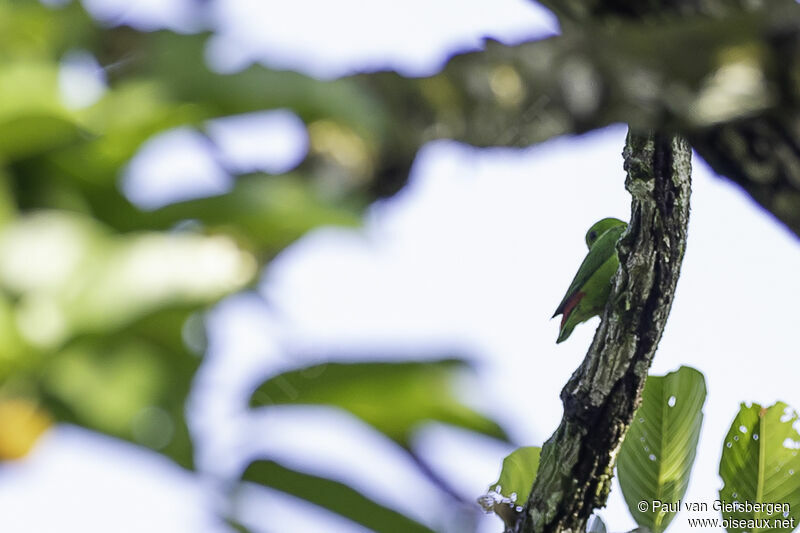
94 292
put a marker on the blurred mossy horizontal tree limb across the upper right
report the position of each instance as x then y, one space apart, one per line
684 76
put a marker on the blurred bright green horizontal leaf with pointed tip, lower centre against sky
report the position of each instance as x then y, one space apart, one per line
395 398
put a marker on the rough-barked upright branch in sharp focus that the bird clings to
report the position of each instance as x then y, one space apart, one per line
577 462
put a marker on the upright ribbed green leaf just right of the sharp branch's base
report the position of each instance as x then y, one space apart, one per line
656 458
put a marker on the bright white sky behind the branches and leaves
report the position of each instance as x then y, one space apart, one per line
473 255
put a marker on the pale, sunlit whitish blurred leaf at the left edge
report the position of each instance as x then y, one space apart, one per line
102 281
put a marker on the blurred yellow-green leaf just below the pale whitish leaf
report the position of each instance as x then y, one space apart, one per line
132 385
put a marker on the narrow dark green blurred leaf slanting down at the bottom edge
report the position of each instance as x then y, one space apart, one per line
334 496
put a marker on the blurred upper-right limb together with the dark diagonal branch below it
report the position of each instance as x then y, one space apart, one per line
730 85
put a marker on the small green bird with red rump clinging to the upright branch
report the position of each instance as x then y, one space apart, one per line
588 292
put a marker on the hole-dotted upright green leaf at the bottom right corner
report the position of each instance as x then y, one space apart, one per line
760 465
